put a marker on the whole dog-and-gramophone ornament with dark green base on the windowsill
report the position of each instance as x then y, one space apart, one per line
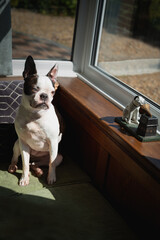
138 121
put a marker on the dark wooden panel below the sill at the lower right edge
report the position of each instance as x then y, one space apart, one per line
133 191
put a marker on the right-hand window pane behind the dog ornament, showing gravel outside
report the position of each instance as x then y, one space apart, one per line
129 46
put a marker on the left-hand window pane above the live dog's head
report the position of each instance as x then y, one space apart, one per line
44 29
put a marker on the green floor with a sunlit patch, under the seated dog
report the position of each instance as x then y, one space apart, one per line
70 209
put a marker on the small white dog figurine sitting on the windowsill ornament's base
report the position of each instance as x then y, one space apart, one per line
131 111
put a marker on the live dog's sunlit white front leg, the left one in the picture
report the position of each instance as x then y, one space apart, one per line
25 153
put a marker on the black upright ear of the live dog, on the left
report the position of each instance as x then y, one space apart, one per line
30 67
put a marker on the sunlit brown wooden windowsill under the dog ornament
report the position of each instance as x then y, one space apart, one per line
102 113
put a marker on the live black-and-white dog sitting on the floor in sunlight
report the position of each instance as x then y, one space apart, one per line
37 125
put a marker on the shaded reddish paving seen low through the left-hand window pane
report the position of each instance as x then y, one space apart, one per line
24 45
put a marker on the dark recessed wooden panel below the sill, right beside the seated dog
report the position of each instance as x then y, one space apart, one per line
81 146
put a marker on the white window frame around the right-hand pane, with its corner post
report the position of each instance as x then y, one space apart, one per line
105 84
